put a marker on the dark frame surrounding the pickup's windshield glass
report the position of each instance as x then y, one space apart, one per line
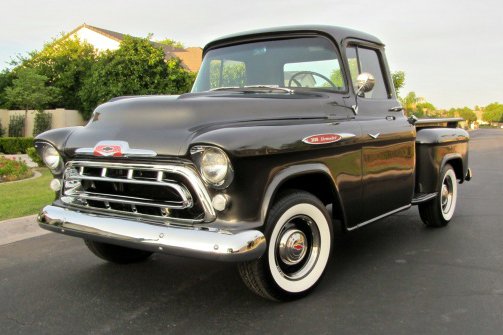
277 37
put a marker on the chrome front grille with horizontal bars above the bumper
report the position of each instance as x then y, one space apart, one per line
162 192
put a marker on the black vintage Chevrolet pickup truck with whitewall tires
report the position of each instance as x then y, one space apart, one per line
286 133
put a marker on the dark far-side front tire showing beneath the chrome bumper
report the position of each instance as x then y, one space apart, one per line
117 254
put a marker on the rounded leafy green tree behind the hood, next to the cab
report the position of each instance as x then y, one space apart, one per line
136 68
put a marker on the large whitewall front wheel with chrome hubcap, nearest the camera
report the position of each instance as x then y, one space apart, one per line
299 235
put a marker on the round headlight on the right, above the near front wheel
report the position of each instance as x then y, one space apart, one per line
214 165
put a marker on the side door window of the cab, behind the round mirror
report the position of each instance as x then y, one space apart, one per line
361 60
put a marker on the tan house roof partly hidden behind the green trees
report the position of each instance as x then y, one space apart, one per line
191 57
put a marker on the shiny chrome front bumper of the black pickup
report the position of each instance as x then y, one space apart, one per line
192 242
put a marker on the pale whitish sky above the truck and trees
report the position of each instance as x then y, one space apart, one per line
451 51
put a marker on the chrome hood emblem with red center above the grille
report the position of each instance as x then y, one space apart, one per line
114 149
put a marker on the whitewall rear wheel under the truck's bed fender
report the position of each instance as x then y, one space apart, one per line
439 211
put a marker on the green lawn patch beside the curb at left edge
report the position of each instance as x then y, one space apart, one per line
25 197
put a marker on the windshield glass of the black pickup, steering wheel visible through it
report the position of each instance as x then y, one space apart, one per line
308 62
